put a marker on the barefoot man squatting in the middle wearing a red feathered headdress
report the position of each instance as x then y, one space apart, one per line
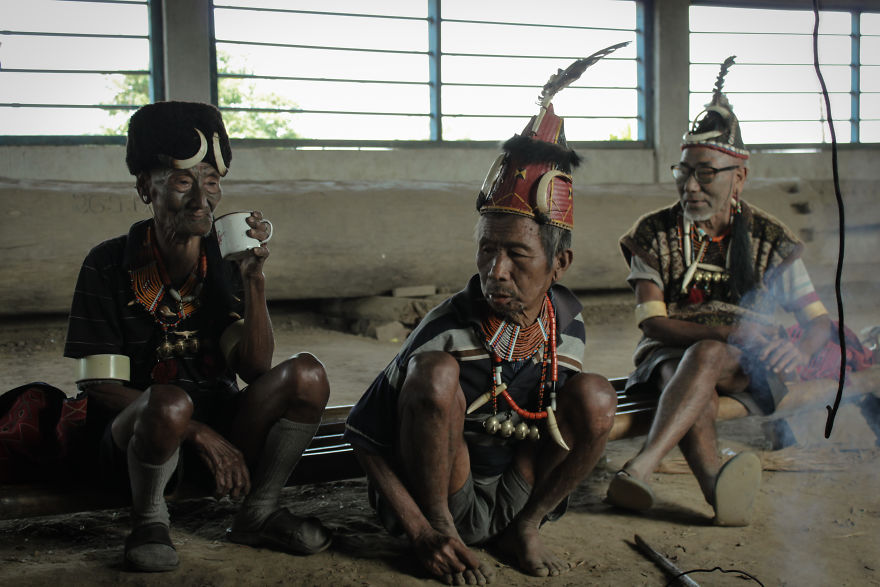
484 423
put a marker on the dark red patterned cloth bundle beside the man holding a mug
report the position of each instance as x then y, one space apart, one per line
40 430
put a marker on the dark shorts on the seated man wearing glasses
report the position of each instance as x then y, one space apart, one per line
763 394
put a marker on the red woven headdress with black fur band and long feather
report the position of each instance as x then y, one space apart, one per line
531 177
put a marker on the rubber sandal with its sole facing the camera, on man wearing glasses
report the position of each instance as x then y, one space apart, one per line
736 486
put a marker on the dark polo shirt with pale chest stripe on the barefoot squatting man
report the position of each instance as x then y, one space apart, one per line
454 327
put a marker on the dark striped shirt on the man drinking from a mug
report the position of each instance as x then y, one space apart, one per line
105 319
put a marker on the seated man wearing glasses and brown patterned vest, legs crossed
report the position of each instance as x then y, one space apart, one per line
708 273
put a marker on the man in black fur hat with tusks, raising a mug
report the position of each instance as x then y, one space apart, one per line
161 326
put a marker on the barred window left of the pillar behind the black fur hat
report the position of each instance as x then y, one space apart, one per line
72 67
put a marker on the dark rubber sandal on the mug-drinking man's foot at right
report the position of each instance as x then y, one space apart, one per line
286 532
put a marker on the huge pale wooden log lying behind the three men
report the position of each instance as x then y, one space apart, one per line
346 238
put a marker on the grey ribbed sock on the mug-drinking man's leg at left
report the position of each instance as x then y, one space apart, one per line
147 488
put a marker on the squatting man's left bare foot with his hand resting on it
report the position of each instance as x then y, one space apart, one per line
449 559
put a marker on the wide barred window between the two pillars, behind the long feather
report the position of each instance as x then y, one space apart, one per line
420 71
